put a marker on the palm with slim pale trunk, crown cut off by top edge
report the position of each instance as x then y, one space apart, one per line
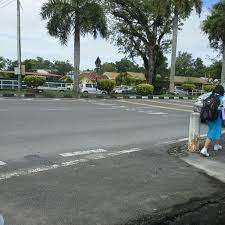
181 10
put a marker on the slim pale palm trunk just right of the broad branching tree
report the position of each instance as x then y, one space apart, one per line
174 51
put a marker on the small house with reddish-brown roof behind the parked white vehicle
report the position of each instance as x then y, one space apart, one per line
91 78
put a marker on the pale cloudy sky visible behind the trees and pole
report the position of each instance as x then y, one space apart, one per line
37 42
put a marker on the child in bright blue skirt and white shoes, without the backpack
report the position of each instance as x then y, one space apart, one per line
215 126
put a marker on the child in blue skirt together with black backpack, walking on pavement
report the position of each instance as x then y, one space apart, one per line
212 114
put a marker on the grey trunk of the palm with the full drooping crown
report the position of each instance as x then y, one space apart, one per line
76 57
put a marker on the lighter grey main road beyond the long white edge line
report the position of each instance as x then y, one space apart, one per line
52 127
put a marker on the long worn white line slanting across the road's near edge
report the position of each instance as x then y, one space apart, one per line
18 173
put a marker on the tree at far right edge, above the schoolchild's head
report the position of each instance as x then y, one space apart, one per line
214 26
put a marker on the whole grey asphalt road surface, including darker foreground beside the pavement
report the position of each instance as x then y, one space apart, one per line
93 161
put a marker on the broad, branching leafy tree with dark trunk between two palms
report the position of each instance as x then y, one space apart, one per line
140 27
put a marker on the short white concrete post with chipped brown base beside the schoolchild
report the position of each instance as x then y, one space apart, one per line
194 132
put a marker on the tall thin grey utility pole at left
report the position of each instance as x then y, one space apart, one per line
19 46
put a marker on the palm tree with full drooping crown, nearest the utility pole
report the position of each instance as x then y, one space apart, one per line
74 17
